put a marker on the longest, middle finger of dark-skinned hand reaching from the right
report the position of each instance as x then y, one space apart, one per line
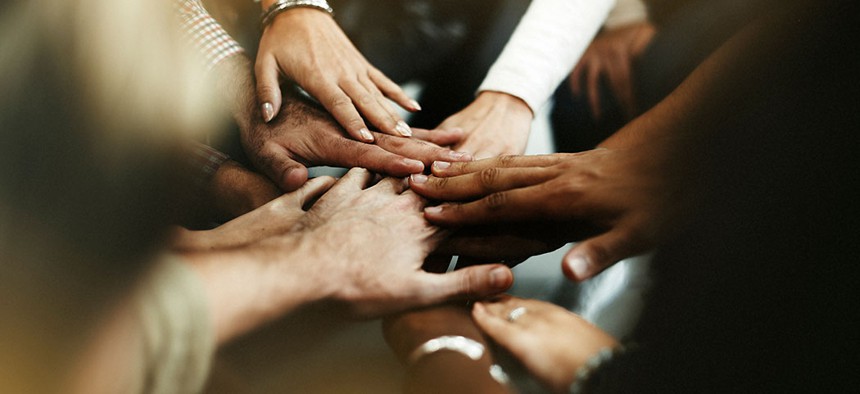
477 184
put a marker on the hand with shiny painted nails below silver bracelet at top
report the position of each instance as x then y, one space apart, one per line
307 46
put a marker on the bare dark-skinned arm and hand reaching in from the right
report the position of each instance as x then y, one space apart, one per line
634 190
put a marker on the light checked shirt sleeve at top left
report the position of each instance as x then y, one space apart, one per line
205 33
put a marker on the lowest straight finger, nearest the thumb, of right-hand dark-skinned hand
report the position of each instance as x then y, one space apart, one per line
510 205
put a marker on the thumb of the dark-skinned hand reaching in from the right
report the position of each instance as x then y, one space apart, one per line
588 258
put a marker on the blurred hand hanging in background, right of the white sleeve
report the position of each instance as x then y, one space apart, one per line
611 55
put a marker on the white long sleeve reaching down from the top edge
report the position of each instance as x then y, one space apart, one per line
545 46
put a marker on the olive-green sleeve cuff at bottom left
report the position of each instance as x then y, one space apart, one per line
177 338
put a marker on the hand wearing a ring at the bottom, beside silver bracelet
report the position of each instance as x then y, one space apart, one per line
549 341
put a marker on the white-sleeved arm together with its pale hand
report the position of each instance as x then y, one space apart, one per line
548 41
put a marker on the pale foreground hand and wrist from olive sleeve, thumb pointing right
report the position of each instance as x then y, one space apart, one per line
335 253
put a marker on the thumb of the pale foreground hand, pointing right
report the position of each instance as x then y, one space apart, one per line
468 283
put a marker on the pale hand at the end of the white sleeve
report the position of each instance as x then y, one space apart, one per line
495 124
